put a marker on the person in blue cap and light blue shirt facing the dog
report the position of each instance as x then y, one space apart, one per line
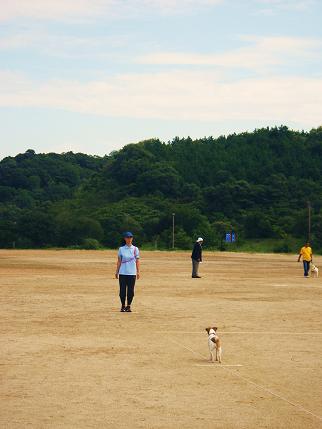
127 271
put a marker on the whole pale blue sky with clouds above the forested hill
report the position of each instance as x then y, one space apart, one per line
94 75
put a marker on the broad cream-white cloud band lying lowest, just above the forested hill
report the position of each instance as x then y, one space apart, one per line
175 95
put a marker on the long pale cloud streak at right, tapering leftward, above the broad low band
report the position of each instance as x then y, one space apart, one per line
263 52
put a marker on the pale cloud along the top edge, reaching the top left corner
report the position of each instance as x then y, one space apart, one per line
85 9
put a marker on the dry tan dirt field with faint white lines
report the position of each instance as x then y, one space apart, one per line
70 359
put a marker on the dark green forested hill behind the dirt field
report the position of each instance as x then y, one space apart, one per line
255 183
